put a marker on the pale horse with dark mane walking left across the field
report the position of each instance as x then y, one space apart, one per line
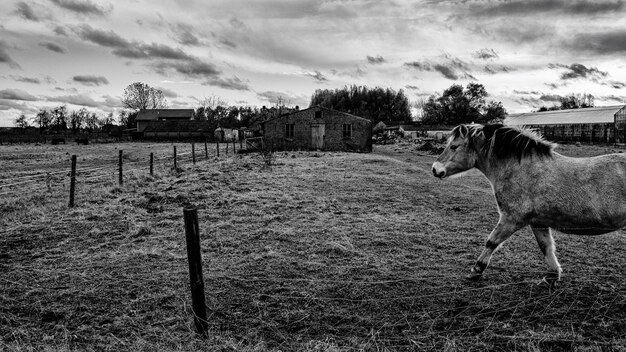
535 186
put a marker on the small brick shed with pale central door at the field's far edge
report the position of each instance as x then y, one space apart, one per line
319 128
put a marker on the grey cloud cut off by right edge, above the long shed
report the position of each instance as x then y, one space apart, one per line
609 42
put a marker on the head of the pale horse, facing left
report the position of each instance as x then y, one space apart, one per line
461 152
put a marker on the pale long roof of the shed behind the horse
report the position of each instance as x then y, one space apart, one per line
603 114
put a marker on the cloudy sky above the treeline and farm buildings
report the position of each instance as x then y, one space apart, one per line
83 53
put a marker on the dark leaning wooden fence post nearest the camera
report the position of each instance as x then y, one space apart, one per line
194 255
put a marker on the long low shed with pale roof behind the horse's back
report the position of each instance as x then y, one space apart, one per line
605 124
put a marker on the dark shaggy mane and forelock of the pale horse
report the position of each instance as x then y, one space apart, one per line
507 142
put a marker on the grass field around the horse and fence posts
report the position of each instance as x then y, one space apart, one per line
318 251
